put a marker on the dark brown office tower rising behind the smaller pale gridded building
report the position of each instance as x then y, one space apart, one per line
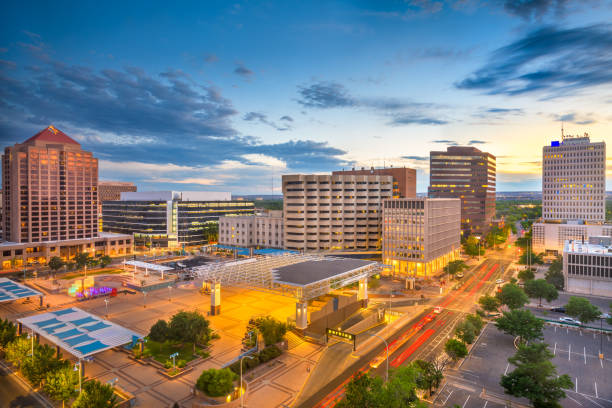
470 175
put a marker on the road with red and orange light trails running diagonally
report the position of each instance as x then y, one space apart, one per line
425 337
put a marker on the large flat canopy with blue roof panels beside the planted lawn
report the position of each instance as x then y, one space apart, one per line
78 332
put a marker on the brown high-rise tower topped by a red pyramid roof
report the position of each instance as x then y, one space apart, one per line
49 189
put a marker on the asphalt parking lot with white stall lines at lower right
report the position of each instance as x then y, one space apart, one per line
576 353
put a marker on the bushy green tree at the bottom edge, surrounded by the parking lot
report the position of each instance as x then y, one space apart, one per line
535 377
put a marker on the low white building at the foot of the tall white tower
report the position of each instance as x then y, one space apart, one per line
550 237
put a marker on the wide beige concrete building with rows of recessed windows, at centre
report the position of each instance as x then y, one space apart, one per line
334 212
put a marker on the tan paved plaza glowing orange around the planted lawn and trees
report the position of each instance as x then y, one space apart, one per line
272 385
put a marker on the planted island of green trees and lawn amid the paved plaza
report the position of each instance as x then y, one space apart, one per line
174 347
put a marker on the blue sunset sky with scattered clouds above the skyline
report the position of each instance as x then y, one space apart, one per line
228 96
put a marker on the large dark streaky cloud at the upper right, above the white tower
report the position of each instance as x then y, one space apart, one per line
551 61
